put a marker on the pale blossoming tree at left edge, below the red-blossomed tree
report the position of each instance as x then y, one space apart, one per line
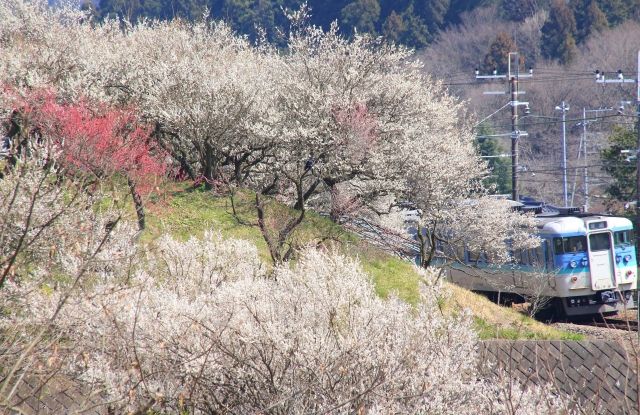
53 239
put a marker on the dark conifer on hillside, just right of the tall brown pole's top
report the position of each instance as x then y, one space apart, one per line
558 41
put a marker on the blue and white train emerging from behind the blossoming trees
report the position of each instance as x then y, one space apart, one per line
586 264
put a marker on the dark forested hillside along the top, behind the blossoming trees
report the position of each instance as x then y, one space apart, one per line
415 23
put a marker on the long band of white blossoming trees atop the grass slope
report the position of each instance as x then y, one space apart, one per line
325 117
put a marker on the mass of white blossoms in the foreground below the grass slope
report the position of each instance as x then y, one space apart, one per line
310 337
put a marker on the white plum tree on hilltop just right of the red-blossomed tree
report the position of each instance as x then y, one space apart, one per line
211 101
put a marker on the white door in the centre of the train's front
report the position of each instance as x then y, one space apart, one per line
601 261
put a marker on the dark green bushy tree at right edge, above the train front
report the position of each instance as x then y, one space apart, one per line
616 164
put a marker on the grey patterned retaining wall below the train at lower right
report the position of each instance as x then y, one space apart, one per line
597 374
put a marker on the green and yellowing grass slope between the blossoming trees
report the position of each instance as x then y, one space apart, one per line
187 212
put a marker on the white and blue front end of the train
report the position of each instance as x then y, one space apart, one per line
595 259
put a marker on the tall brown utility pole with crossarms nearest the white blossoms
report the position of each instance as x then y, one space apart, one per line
513 75
